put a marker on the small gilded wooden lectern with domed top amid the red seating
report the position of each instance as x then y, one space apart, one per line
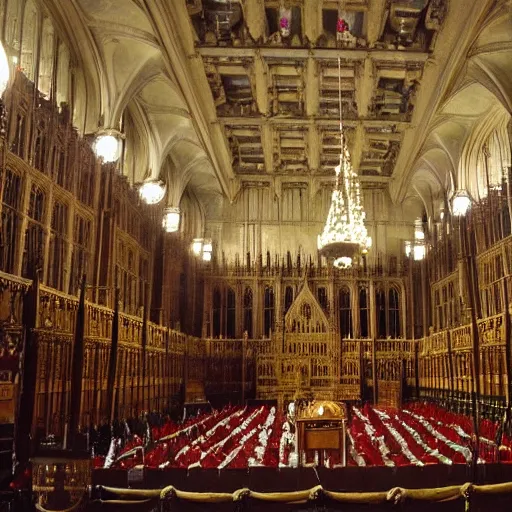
322 426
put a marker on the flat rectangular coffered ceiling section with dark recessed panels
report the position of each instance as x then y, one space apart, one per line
274 75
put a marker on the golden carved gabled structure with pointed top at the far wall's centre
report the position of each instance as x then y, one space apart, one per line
302 358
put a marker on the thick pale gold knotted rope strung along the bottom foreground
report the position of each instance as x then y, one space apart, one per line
396 495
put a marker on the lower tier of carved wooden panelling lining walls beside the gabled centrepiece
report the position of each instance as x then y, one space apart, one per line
148 377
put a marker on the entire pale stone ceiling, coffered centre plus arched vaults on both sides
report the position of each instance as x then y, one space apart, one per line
212 93
